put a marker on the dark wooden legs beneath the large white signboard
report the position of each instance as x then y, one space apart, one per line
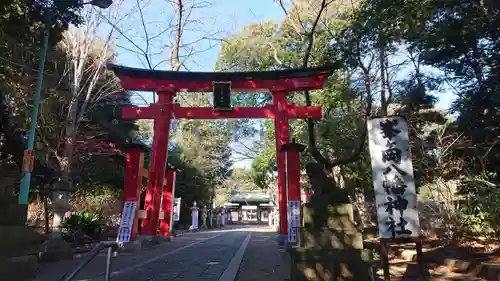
384 257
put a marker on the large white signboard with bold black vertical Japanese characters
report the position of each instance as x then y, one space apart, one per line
393 179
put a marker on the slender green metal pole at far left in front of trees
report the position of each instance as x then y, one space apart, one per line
26 180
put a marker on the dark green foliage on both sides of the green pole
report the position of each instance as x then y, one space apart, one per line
21 25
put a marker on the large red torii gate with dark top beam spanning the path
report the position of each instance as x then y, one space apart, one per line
167 83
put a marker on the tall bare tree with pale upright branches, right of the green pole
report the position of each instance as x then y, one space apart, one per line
86 56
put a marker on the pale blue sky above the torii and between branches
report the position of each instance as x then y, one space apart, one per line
225 16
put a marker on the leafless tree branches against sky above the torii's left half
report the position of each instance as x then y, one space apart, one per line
155 36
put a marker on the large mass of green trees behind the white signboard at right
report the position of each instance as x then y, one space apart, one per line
427 47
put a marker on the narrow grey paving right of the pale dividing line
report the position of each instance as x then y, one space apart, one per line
263 259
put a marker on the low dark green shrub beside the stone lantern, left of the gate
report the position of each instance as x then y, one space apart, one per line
84 222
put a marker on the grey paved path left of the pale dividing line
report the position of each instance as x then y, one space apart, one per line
199 256
